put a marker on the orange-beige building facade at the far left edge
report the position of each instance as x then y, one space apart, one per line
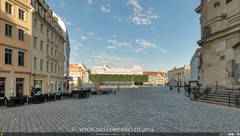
15 37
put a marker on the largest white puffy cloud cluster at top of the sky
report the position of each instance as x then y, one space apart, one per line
139 15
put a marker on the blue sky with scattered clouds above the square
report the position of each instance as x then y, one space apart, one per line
155 34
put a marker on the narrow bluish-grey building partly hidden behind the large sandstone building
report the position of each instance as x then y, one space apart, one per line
194 64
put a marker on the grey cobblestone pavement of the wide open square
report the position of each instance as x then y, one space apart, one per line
157 108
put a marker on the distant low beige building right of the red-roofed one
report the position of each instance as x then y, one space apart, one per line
181 75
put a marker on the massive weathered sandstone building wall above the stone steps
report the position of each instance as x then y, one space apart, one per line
220 43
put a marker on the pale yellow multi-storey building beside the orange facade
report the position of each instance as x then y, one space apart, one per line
47 49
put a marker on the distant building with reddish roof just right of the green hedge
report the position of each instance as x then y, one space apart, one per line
156 78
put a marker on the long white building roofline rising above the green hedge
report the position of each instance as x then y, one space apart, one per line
136 70
